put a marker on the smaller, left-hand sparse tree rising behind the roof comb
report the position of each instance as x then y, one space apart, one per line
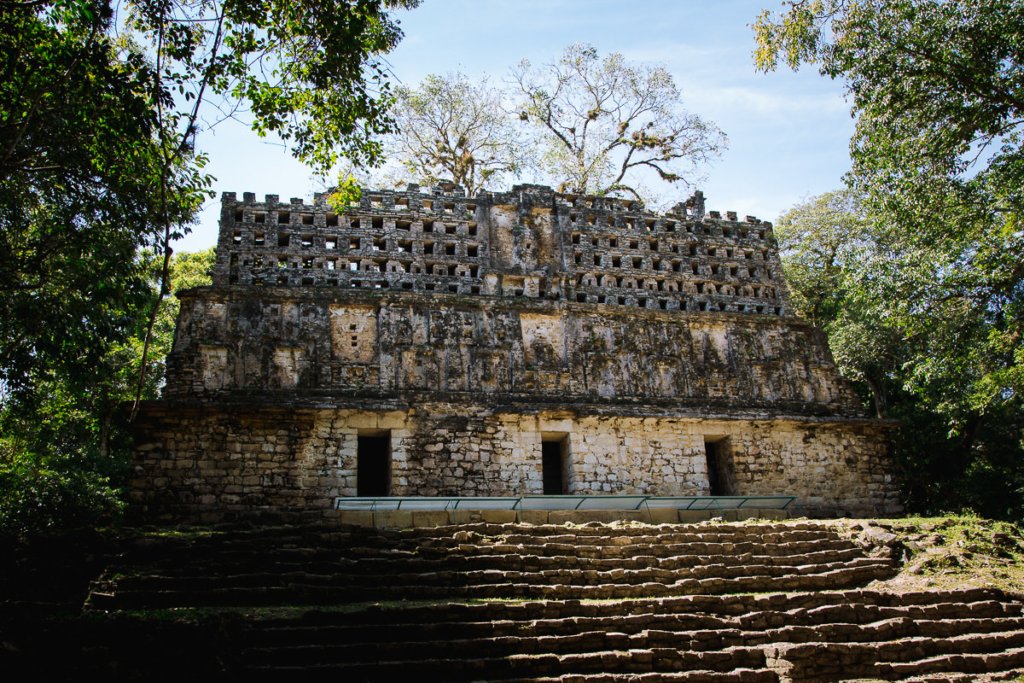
451 129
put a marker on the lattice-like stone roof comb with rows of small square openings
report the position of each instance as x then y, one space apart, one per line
532 243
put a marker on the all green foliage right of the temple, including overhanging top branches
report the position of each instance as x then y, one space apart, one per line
925 303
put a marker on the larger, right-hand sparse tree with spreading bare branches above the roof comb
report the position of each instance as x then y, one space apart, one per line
601 122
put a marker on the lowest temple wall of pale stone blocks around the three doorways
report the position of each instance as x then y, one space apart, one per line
196 460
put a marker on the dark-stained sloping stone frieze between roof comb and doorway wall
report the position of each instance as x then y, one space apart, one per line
315 344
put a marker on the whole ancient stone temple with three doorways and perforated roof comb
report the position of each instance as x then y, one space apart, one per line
425 344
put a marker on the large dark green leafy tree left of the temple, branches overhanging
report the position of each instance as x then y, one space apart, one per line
99 175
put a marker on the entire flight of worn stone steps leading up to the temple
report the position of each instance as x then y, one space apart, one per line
505 603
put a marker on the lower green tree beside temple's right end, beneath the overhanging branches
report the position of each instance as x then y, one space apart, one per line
916 347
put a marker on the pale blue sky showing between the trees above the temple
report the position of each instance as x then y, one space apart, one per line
789 133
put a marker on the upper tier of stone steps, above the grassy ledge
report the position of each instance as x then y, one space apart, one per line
474 562
